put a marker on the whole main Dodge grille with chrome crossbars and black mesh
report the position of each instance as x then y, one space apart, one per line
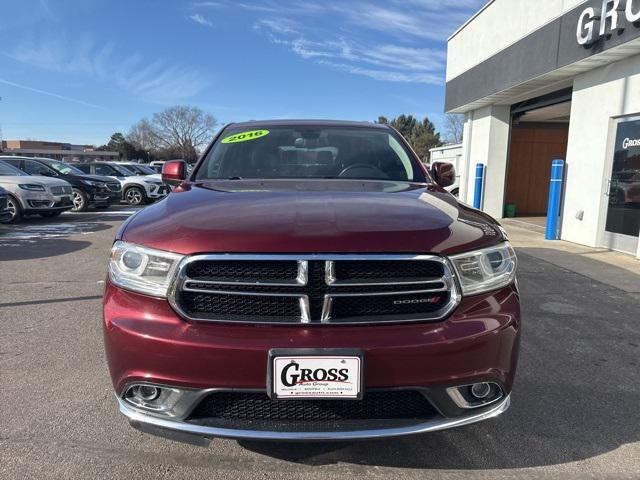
314 290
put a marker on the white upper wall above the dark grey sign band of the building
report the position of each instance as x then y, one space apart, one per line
500 24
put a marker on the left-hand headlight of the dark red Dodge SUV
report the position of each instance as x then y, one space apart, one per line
142 269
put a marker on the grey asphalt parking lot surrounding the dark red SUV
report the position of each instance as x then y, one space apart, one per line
574 412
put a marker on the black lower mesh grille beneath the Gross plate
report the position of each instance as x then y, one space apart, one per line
375 405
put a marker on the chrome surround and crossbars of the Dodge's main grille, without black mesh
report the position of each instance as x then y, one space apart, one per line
445 283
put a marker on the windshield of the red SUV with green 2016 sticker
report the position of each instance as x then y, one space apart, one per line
310 152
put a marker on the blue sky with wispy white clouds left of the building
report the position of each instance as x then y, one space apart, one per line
76 71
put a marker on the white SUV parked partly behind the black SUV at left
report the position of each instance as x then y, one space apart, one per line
136 189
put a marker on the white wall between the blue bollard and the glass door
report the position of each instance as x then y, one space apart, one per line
598 97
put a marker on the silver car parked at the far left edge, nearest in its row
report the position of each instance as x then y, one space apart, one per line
33 195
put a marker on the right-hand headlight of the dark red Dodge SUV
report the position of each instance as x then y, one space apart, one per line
486 269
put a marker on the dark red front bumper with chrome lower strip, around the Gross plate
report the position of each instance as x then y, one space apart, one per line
146 341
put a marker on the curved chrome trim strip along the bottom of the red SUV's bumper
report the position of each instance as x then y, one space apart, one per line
138 416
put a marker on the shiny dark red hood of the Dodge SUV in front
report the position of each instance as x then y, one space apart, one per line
324 216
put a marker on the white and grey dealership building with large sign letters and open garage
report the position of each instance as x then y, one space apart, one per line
553 79
